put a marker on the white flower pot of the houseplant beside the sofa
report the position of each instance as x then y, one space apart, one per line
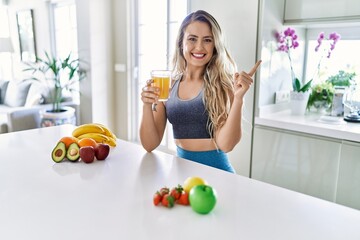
50 118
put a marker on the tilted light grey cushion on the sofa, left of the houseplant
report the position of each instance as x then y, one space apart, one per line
16 93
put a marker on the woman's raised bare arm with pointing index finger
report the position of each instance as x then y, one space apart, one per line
230 133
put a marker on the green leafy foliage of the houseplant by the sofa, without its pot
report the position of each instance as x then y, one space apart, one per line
57 74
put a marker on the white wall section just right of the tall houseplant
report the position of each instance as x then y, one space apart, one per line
96 48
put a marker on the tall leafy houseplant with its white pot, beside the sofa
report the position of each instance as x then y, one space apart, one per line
58 75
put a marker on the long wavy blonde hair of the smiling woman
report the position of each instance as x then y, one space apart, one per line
218 73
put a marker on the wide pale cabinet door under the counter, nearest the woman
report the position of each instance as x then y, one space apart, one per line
296 161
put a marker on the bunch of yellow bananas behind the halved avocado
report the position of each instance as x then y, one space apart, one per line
96 131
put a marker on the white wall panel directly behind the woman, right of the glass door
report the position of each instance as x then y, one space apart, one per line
238 20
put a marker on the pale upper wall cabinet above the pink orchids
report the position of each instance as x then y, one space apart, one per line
321 10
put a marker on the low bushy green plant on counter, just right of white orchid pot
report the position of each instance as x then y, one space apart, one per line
321 96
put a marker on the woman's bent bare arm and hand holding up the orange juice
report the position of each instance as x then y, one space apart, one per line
153 123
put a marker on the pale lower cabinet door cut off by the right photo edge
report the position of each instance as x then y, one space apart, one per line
348 190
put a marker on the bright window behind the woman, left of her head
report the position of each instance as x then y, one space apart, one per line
157 25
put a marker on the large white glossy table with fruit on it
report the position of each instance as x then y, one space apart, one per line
112 199
